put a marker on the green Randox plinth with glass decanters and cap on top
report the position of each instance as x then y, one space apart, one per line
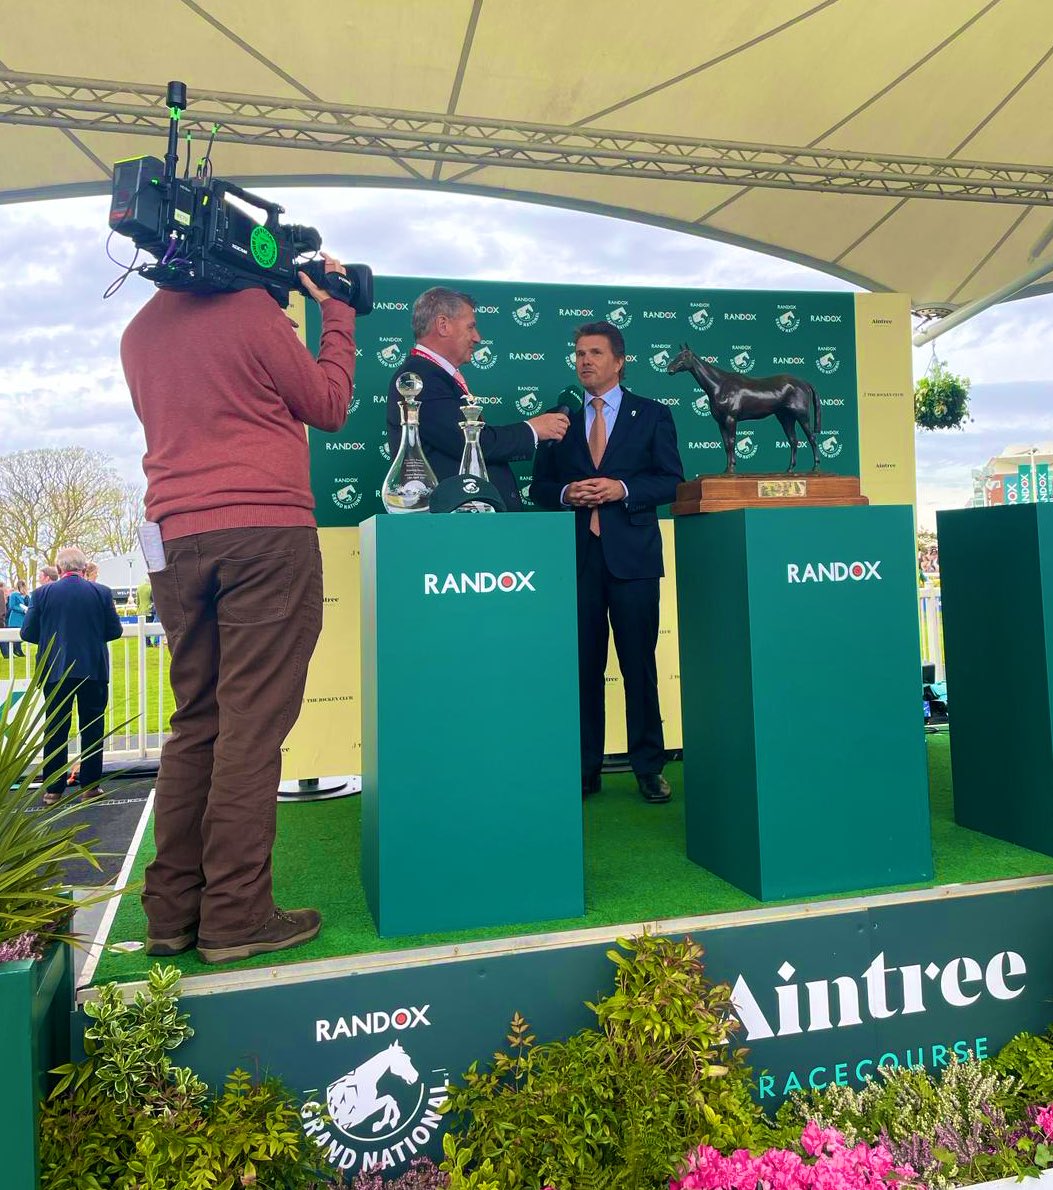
472 811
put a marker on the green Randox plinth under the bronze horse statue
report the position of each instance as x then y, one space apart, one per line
805 768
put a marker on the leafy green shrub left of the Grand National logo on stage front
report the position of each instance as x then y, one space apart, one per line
128 1119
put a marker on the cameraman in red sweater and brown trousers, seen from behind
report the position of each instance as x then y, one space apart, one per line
224 390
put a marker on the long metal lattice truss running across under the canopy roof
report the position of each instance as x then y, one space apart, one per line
84 105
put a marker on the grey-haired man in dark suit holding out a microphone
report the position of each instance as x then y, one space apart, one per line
446 331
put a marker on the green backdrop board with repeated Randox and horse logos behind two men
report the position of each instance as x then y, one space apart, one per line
526 359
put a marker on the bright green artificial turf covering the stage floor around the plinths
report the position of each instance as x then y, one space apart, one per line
636 870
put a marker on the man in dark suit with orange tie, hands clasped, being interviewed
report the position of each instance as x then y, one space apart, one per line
617 465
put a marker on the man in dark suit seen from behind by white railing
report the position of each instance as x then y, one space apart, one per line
73 619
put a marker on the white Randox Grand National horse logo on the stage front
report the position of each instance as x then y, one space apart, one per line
384 1110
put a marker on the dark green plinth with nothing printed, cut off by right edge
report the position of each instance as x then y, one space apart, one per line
996 575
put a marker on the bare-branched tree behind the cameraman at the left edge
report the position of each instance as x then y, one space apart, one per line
58 497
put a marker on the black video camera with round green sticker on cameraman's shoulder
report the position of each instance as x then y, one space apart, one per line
210 236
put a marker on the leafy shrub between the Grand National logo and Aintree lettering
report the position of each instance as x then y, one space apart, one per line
618 1106
